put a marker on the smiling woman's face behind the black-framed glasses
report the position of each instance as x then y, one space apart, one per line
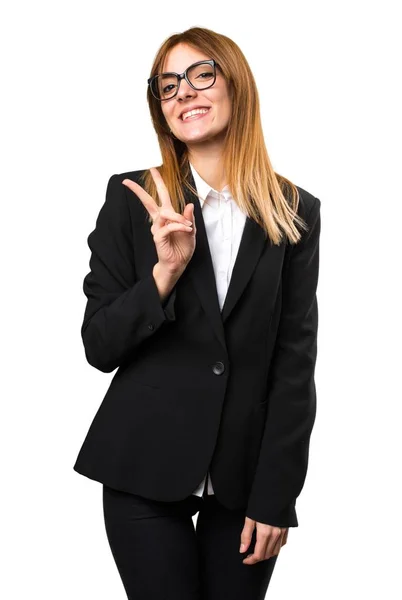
199 128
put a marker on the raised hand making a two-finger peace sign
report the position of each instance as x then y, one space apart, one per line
173 233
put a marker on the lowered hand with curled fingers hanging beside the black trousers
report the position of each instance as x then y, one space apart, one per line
269 540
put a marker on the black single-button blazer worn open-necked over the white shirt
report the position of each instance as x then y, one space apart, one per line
197 388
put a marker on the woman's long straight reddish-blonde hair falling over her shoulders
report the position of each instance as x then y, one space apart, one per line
267 197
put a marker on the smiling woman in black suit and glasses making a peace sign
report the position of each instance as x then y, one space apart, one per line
202 292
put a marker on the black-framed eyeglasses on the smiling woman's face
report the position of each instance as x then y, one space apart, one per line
200 76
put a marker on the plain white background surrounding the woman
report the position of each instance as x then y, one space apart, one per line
73 113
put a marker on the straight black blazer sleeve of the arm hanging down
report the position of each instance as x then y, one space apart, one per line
283 458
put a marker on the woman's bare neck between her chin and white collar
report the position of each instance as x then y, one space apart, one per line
207 160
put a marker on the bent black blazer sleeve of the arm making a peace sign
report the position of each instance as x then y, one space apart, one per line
121 311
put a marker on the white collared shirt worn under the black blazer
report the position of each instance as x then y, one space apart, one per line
224 223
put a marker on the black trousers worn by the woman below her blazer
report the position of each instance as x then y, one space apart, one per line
160 555
